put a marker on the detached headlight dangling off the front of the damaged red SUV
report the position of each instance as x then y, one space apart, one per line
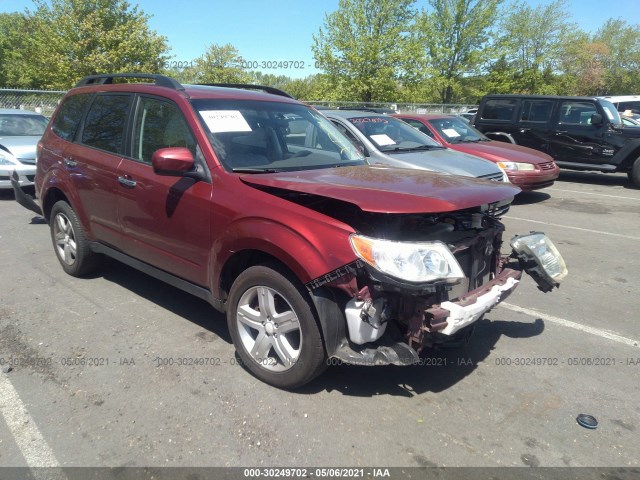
540 259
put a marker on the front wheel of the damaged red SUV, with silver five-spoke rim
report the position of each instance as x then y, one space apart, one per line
274 329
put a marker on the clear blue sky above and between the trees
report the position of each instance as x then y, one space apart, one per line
278 30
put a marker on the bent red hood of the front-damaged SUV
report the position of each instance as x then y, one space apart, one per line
387 189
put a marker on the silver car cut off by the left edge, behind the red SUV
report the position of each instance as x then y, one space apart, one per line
20 131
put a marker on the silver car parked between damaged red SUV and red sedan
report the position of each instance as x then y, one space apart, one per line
390 141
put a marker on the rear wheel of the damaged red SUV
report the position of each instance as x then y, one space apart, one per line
70 243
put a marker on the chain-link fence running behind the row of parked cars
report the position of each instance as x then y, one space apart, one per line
45 102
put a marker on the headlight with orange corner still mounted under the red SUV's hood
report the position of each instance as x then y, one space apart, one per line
412 262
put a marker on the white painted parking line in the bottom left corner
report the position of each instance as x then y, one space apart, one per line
32 445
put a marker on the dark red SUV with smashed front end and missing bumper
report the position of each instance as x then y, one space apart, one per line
258 204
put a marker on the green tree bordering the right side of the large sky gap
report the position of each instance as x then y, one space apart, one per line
363 48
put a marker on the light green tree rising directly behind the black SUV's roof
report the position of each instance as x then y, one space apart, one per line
533 42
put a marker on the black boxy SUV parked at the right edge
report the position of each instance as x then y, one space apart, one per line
580 133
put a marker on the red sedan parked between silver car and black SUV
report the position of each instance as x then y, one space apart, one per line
527 168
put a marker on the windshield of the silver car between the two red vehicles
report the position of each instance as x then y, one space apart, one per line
390 134
